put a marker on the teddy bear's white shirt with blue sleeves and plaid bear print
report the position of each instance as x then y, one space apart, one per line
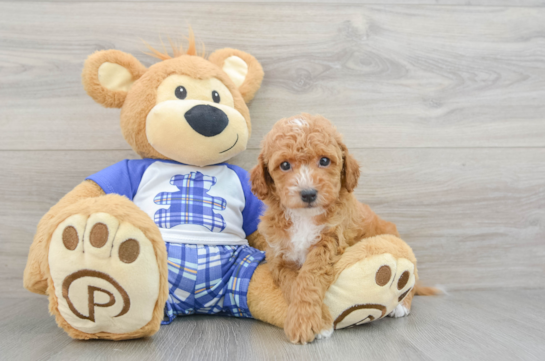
210 205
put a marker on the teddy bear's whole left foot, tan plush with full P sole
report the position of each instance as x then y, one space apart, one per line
107 270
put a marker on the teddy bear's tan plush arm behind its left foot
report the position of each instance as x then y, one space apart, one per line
34 277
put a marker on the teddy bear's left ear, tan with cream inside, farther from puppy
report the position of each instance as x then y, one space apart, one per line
109 74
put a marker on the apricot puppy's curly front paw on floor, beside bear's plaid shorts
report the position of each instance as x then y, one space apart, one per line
303 322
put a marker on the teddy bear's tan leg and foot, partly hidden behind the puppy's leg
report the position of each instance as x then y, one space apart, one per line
371 279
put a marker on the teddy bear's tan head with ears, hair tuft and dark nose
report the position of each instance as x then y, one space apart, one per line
185 108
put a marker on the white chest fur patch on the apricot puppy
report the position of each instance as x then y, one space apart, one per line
304 233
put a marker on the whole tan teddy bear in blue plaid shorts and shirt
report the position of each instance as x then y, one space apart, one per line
175 233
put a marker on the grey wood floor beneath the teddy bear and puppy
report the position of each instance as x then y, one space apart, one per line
485 325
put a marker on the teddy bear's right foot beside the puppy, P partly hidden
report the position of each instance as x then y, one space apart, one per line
373 278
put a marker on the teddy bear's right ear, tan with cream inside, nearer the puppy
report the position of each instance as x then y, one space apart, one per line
243 69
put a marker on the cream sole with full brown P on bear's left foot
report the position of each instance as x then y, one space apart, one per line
105 274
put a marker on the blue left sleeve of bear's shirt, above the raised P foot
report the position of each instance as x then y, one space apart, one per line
122 178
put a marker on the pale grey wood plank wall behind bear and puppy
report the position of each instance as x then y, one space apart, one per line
442 102
